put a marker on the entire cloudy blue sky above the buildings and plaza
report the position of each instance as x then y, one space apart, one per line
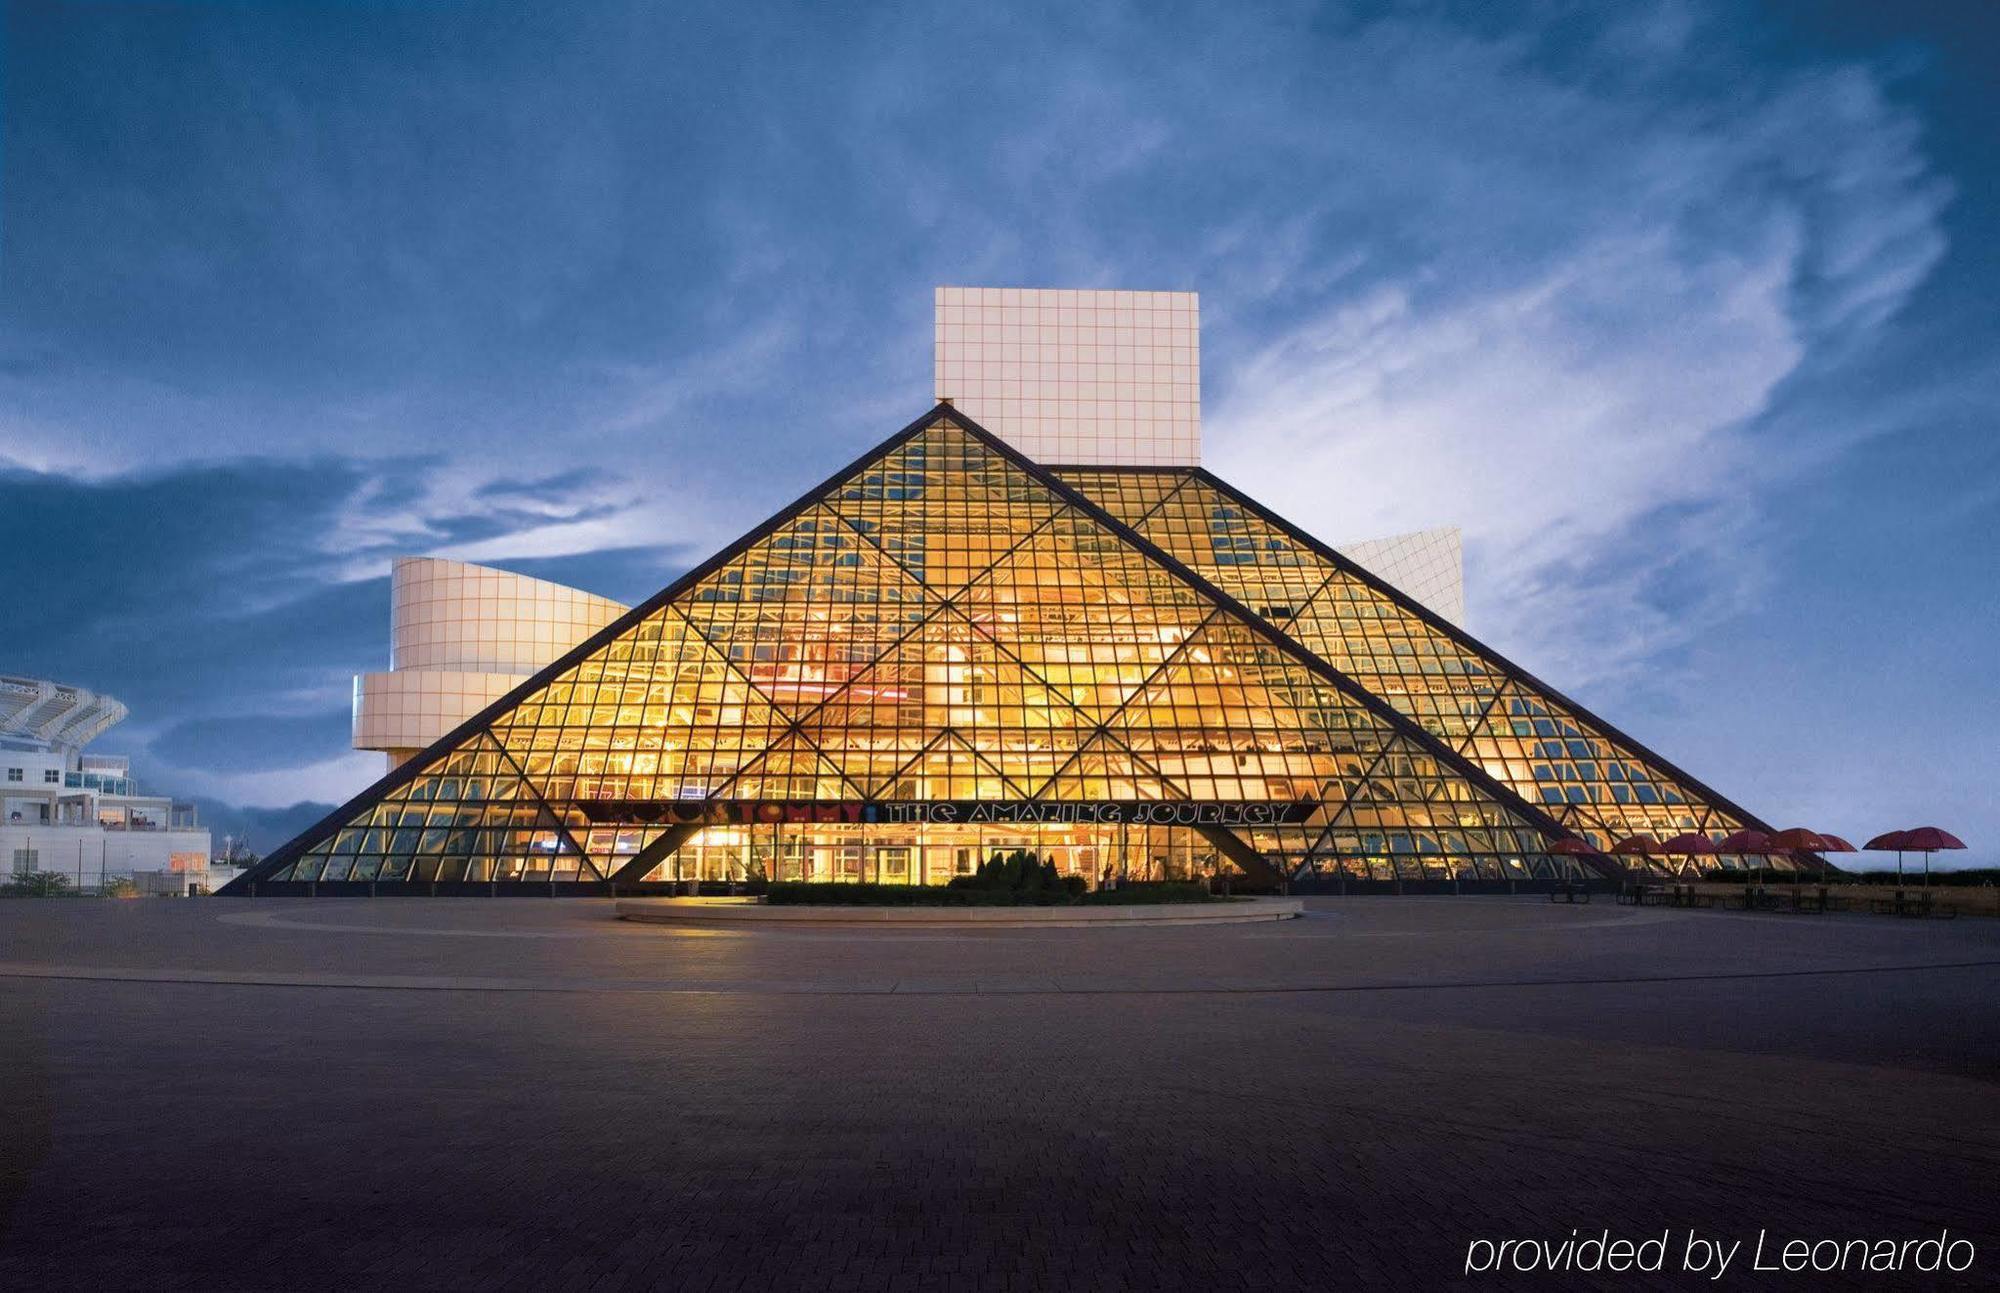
1683 311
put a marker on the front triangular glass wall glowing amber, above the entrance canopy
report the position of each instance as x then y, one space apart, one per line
945 623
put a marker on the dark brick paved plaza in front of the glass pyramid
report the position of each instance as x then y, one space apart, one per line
533 1096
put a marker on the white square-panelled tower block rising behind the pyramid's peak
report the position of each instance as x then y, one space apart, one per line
1077 375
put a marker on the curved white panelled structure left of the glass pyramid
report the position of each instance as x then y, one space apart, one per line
461 637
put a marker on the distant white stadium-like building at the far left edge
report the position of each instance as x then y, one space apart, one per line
81 816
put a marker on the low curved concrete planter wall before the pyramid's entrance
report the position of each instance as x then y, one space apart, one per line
751 912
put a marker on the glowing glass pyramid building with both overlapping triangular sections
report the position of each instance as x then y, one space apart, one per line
949 650
